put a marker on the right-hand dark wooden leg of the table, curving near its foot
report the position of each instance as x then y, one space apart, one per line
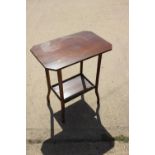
97 80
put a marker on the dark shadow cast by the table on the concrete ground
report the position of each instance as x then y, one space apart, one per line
82 134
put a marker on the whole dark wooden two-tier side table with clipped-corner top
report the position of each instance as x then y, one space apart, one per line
65 51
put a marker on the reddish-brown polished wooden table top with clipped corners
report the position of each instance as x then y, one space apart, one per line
65 51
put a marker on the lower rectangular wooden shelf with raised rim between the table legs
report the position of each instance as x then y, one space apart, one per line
73 87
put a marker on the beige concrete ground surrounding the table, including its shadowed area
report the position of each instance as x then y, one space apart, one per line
47 20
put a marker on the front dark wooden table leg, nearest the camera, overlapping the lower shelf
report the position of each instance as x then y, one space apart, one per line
59 74
